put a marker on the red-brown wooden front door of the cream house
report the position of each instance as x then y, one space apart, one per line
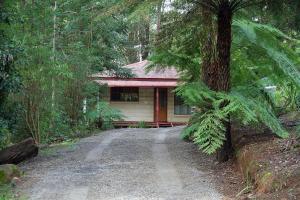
161 104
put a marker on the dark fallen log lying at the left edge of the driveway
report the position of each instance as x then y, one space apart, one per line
19 152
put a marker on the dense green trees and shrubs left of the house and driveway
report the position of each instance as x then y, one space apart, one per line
47 56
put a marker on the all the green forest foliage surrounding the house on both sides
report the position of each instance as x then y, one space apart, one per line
47 55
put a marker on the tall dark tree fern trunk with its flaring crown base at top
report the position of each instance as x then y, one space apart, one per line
224 11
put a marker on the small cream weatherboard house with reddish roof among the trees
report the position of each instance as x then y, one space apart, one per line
146 97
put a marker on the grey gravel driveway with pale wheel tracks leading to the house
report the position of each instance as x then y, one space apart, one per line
122 164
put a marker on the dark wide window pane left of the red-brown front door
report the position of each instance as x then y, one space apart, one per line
124 94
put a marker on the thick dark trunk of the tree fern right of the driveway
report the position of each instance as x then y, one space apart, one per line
224 20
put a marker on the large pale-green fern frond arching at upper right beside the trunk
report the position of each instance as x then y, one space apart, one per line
271 43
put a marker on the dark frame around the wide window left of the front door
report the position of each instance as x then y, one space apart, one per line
130 90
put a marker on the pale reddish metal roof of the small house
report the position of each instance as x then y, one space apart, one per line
142 78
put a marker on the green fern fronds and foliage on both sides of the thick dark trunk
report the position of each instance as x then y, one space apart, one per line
261 56
